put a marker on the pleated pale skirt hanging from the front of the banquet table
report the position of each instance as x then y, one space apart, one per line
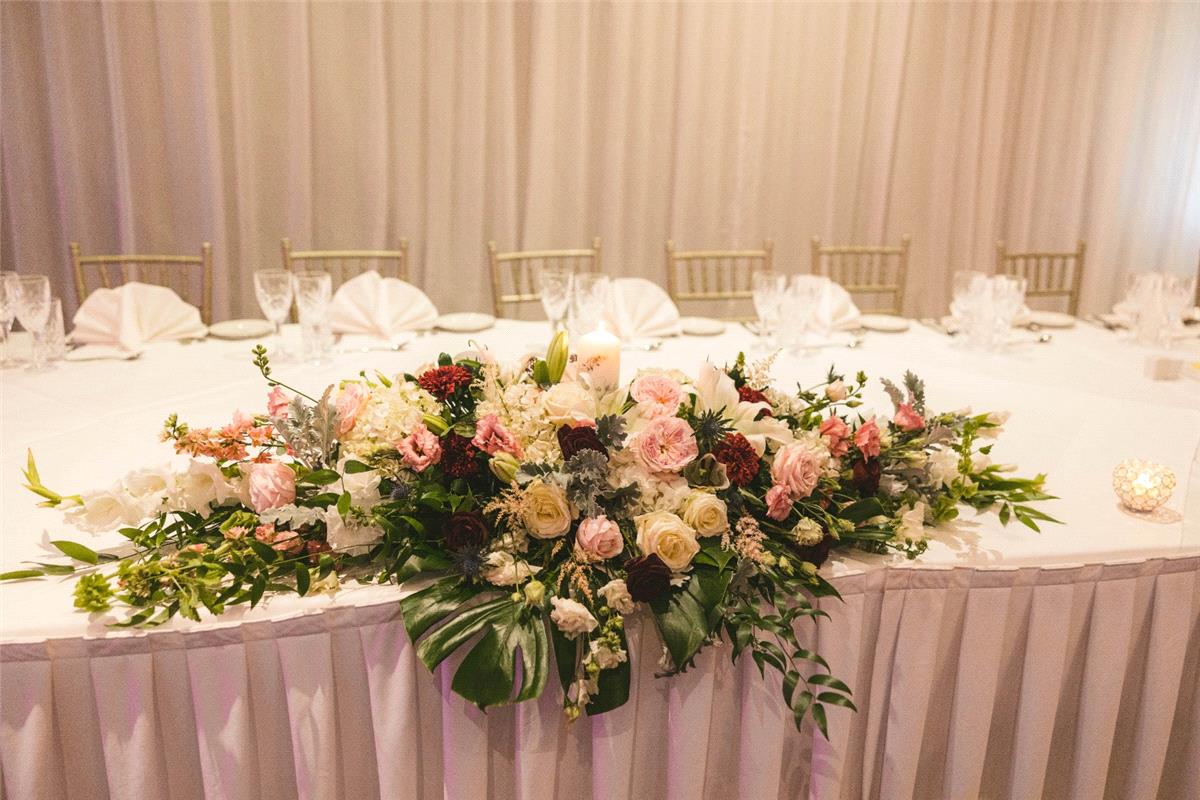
1076 682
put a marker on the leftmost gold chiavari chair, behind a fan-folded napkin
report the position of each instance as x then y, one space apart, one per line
185 275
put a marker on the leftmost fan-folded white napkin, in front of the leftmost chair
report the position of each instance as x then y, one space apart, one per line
135 315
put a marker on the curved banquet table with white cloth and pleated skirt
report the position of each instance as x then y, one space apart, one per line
1003 664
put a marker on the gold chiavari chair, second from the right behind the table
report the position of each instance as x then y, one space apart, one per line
867 273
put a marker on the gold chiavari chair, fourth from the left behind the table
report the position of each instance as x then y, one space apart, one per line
716 275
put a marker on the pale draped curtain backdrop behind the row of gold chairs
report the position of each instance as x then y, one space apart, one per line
152 127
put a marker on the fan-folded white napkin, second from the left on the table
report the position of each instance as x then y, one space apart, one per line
382 308
